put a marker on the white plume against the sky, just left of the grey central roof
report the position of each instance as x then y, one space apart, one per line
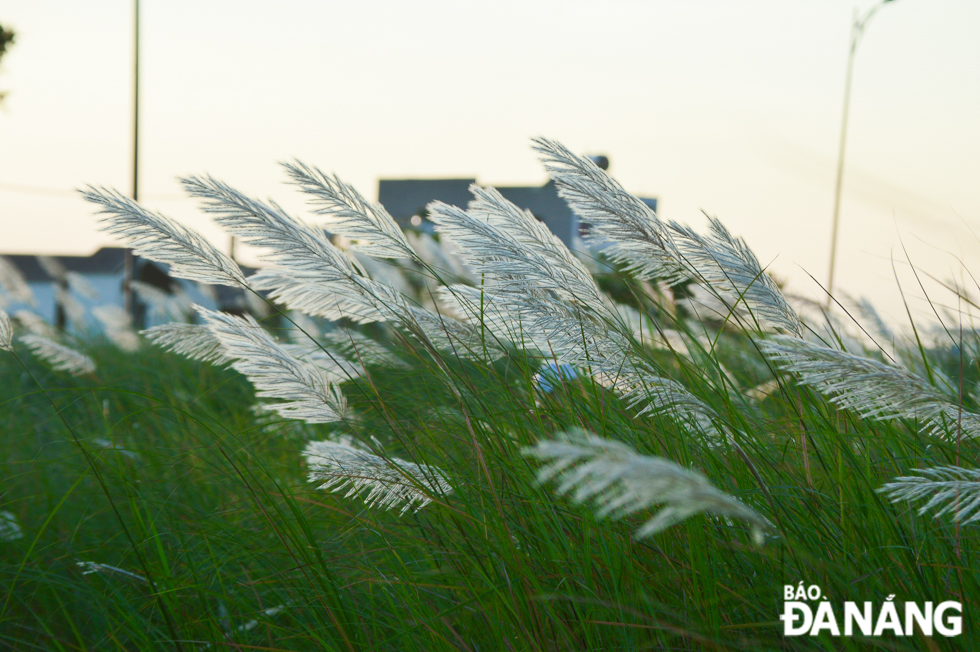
350 215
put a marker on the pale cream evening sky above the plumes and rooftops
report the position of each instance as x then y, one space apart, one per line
729 107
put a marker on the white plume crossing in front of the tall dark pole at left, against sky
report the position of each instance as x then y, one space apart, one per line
161 239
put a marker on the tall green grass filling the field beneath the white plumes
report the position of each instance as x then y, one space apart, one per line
159 510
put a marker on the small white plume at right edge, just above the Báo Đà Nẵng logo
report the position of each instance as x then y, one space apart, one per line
955 488
